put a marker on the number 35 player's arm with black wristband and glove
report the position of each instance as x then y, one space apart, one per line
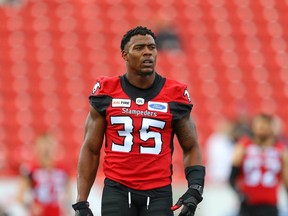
194 170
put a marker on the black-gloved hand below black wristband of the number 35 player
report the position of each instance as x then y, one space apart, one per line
189 200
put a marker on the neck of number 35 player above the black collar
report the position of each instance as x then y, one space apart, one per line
140 80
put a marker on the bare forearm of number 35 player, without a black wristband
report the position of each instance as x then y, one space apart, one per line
87 170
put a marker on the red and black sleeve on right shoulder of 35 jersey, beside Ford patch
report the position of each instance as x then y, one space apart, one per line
181 104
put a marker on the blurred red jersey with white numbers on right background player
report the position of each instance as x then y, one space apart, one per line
261 172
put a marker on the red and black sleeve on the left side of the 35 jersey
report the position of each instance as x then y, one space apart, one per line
99 98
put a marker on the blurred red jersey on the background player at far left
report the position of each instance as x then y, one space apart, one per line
48 188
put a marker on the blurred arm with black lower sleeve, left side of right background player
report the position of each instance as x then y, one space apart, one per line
237 158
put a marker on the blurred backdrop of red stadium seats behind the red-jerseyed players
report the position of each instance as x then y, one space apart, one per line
232 54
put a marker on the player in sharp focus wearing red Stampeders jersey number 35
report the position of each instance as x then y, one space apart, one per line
138 113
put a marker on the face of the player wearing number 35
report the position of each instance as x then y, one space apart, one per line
140 54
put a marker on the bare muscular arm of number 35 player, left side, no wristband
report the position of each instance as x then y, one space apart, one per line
89 158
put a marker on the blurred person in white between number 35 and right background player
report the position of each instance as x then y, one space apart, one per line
219 148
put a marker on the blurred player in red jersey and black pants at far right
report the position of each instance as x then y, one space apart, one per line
259 165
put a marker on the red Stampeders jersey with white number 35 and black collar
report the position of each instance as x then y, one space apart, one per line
139 132
